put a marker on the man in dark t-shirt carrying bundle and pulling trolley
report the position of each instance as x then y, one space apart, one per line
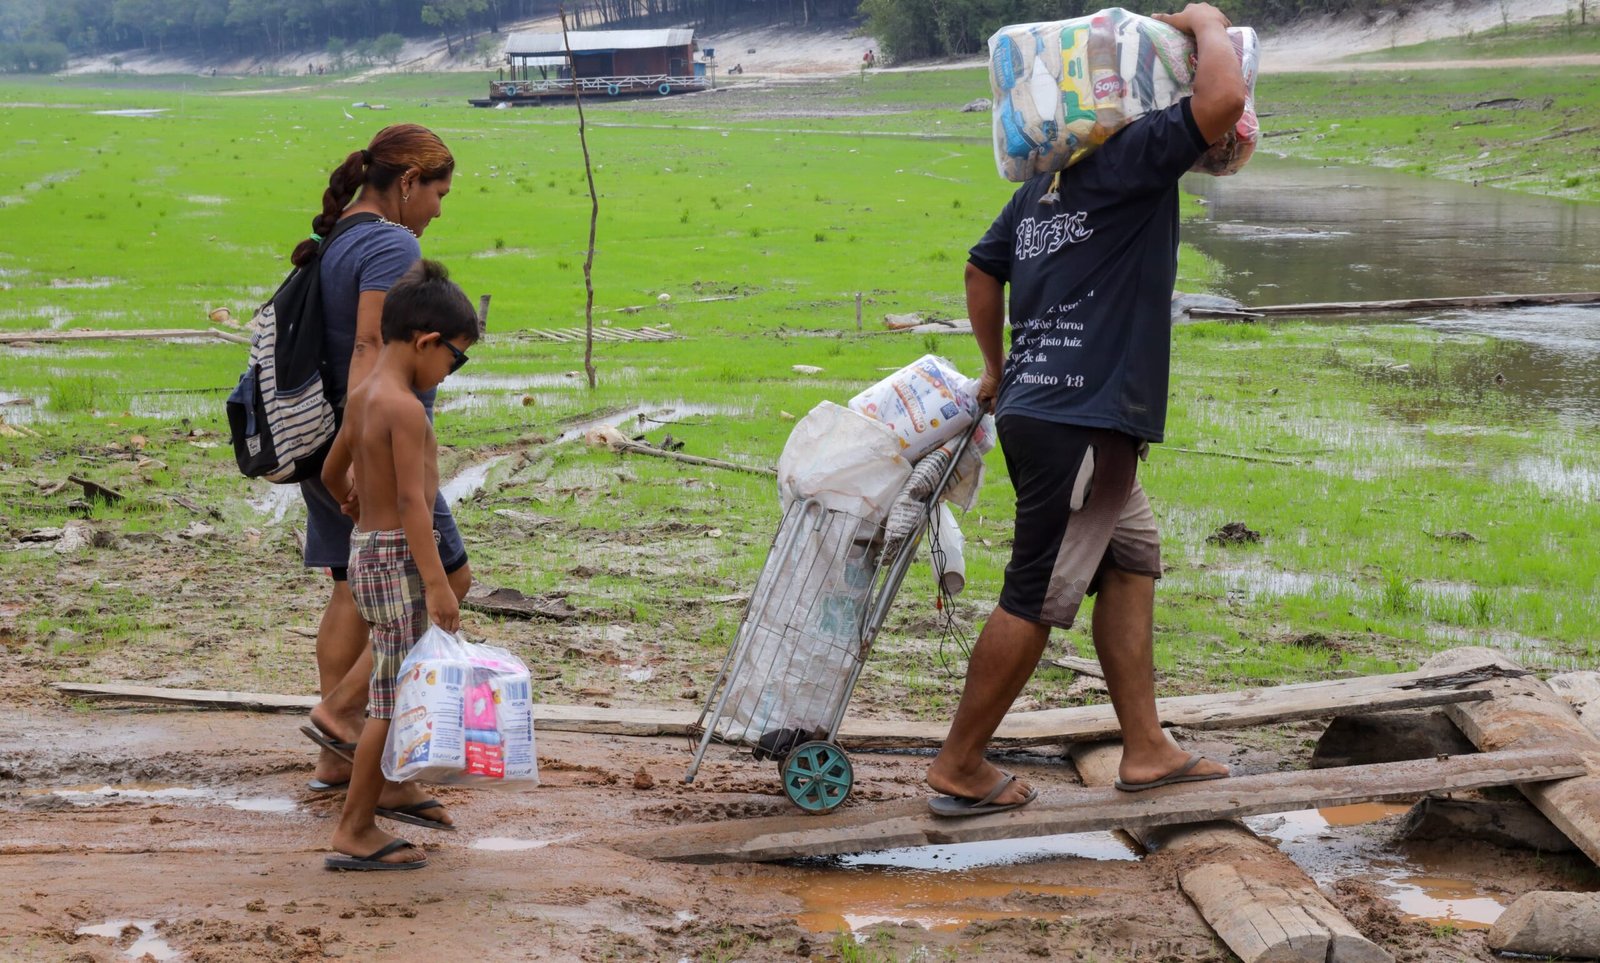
1092 258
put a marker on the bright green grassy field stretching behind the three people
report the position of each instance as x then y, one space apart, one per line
1404 508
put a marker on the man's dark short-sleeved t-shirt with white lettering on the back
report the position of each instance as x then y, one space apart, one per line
1092 281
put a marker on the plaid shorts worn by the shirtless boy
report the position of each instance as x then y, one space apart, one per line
388 591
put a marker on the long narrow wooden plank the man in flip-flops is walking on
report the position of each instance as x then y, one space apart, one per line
908 823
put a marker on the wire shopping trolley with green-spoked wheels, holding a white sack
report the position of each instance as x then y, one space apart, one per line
818 607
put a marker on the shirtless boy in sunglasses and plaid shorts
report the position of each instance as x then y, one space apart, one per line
385 462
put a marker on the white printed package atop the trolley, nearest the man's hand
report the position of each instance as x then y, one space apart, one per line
926 404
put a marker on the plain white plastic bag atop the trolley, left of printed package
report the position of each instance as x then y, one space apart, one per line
842 460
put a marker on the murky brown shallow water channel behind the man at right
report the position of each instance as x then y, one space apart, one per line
1295 233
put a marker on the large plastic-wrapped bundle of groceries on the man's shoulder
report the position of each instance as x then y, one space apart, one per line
1063 89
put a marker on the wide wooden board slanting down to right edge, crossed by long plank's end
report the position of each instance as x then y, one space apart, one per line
1527 714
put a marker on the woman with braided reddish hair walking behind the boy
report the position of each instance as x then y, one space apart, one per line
402 178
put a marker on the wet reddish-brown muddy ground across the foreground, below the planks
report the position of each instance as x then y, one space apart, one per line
209 841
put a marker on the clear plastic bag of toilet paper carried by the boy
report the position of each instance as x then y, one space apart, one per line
463 716
